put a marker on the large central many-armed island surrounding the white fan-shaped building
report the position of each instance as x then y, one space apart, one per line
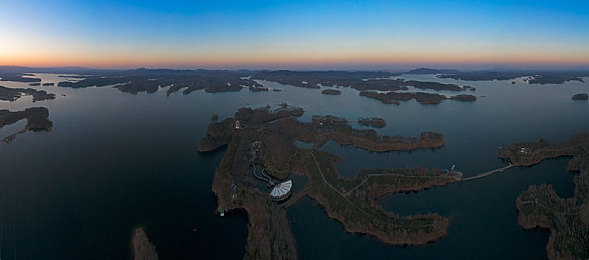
266 138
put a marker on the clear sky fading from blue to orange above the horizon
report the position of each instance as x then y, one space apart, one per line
295 34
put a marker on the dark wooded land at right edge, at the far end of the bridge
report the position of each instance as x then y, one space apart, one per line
540 205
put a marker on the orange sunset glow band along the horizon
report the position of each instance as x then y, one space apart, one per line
274 60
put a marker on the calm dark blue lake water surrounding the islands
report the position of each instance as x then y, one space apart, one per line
115 161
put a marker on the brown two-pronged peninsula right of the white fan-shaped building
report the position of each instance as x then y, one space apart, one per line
353 201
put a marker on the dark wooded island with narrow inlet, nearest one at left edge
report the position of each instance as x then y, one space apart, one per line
37 120
